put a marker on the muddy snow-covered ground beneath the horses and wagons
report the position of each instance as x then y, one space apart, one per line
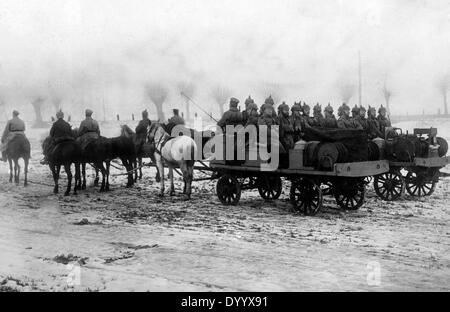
129 239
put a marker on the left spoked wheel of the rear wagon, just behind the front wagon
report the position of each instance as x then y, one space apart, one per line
389 186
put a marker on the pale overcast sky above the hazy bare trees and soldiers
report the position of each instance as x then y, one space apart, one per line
309 48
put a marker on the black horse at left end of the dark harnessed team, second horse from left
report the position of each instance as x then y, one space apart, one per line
64 154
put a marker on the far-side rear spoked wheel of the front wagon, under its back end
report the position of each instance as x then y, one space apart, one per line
349 194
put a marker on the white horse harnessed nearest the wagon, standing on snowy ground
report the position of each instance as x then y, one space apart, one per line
174 152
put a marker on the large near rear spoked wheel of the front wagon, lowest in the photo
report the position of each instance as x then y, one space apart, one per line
306 196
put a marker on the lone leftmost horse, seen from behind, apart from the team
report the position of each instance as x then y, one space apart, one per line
18 147
